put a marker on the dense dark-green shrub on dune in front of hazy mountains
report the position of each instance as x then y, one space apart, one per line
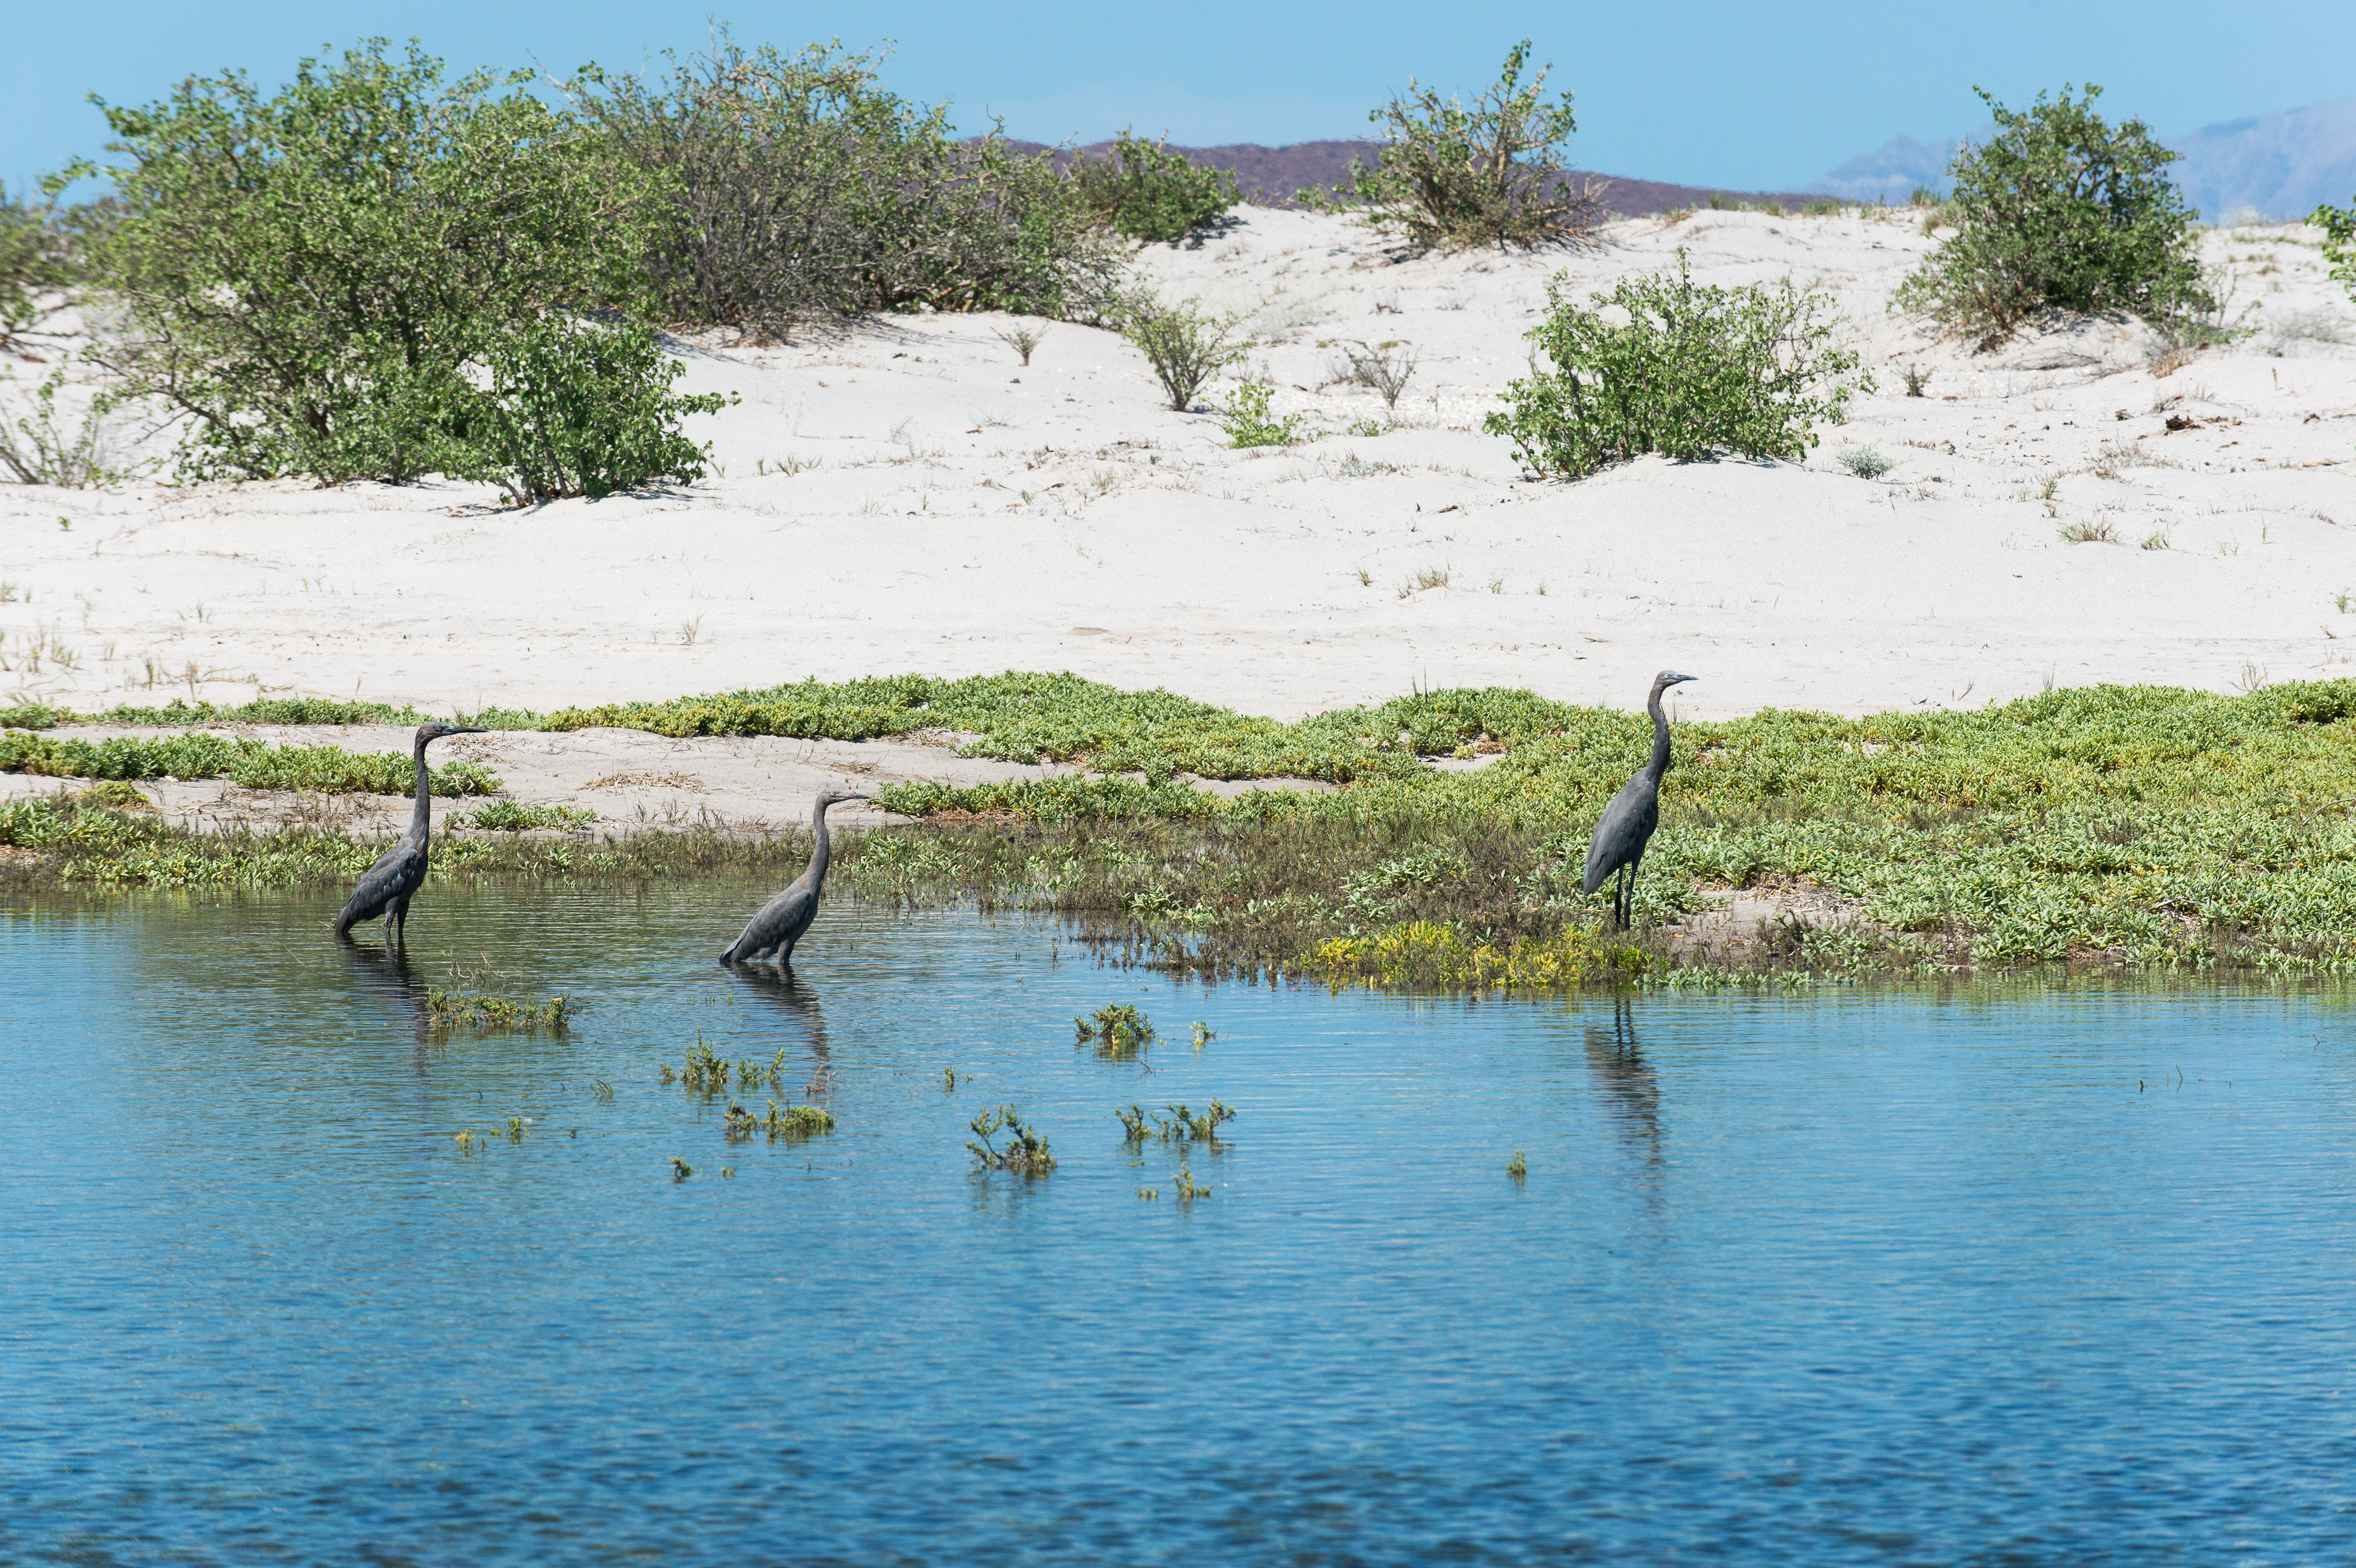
2063 211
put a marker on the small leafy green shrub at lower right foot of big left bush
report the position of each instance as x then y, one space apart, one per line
583 408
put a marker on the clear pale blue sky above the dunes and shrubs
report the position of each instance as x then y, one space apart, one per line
1712 93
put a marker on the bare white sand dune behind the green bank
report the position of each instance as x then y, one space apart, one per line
906 498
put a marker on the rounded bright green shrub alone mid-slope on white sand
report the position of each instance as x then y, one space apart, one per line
1695 371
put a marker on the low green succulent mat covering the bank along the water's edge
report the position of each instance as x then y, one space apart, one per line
2107 825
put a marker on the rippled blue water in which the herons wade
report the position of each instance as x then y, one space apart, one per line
1846 1280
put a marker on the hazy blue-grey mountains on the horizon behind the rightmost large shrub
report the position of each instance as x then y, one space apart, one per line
2275 166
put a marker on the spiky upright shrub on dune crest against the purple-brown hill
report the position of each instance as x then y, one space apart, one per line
1450 178
